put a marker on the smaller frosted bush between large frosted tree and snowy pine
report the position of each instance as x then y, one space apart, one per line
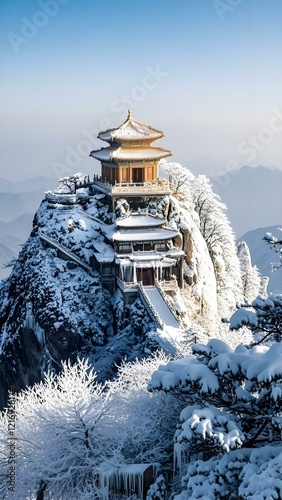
148 419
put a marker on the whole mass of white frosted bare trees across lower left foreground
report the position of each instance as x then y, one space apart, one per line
71 430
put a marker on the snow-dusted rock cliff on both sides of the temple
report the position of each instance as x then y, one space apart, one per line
53 308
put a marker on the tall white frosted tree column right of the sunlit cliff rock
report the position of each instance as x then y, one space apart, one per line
219 236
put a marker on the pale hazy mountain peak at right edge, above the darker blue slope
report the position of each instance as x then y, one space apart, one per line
252 196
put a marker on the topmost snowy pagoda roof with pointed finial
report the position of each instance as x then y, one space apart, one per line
131 131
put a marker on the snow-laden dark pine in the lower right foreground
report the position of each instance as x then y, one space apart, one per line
230 430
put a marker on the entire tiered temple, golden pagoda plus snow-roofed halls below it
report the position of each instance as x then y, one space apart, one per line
145 250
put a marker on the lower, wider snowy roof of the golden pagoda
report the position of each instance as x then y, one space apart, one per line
129 153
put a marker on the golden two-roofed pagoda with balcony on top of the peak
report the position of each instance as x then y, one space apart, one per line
129 165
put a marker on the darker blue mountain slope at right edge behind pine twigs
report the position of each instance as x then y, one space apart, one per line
263 256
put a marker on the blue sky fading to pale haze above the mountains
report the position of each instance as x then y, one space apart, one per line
206 72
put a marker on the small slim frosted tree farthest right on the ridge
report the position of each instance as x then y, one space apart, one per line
250 274
